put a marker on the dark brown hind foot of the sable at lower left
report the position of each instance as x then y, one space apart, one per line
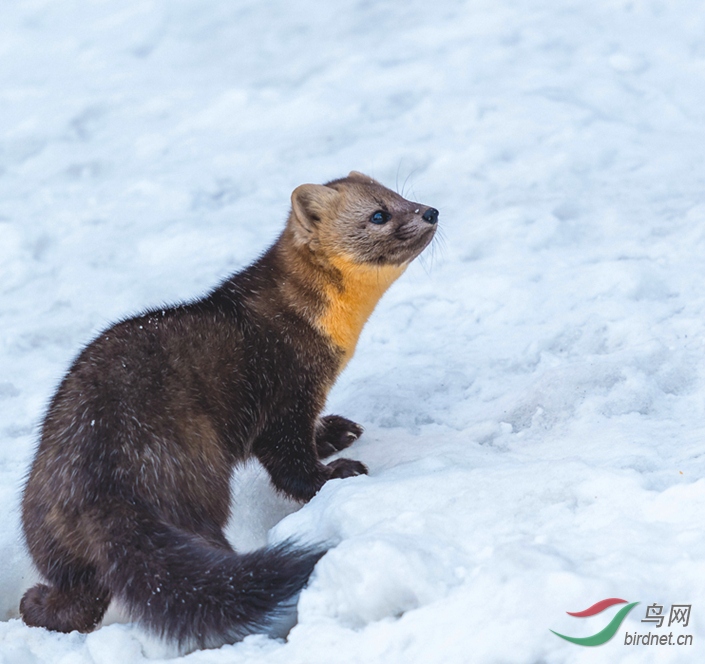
79 607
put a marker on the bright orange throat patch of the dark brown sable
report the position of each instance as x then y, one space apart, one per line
347 310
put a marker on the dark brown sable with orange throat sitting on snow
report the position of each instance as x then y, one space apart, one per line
129 491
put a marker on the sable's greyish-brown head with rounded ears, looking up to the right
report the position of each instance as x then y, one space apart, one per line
361 220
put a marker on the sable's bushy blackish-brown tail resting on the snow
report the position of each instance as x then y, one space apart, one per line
184 589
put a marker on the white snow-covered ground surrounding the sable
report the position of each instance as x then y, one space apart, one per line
533 389
